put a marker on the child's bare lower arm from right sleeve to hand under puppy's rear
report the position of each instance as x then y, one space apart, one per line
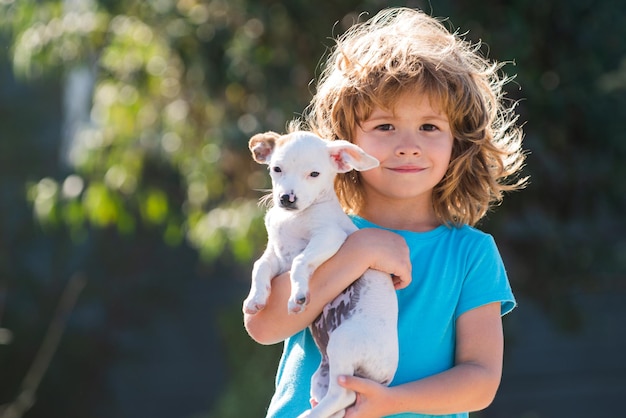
469 386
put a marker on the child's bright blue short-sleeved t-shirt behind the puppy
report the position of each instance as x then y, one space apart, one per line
454 270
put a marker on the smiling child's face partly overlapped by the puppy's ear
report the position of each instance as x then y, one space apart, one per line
413 144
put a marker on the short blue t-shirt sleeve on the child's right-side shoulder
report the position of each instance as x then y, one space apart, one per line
486 280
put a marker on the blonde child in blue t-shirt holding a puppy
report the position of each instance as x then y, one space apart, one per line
431 109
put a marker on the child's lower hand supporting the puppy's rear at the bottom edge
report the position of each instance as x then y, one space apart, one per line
370 397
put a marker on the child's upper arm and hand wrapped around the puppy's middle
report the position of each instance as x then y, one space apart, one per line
365 248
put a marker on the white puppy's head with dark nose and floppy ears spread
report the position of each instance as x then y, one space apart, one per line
303 166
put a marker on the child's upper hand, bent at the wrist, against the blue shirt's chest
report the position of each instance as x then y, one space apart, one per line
385 251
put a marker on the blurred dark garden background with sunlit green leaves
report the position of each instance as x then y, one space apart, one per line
128 201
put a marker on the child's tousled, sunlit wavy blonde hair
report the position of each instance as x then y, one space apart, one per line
400 50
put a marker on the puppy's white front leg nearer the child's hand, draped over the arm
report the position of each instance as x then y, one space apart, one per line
323 245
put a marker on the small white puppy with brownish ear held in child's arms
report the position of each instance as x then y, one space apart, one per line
357 332
